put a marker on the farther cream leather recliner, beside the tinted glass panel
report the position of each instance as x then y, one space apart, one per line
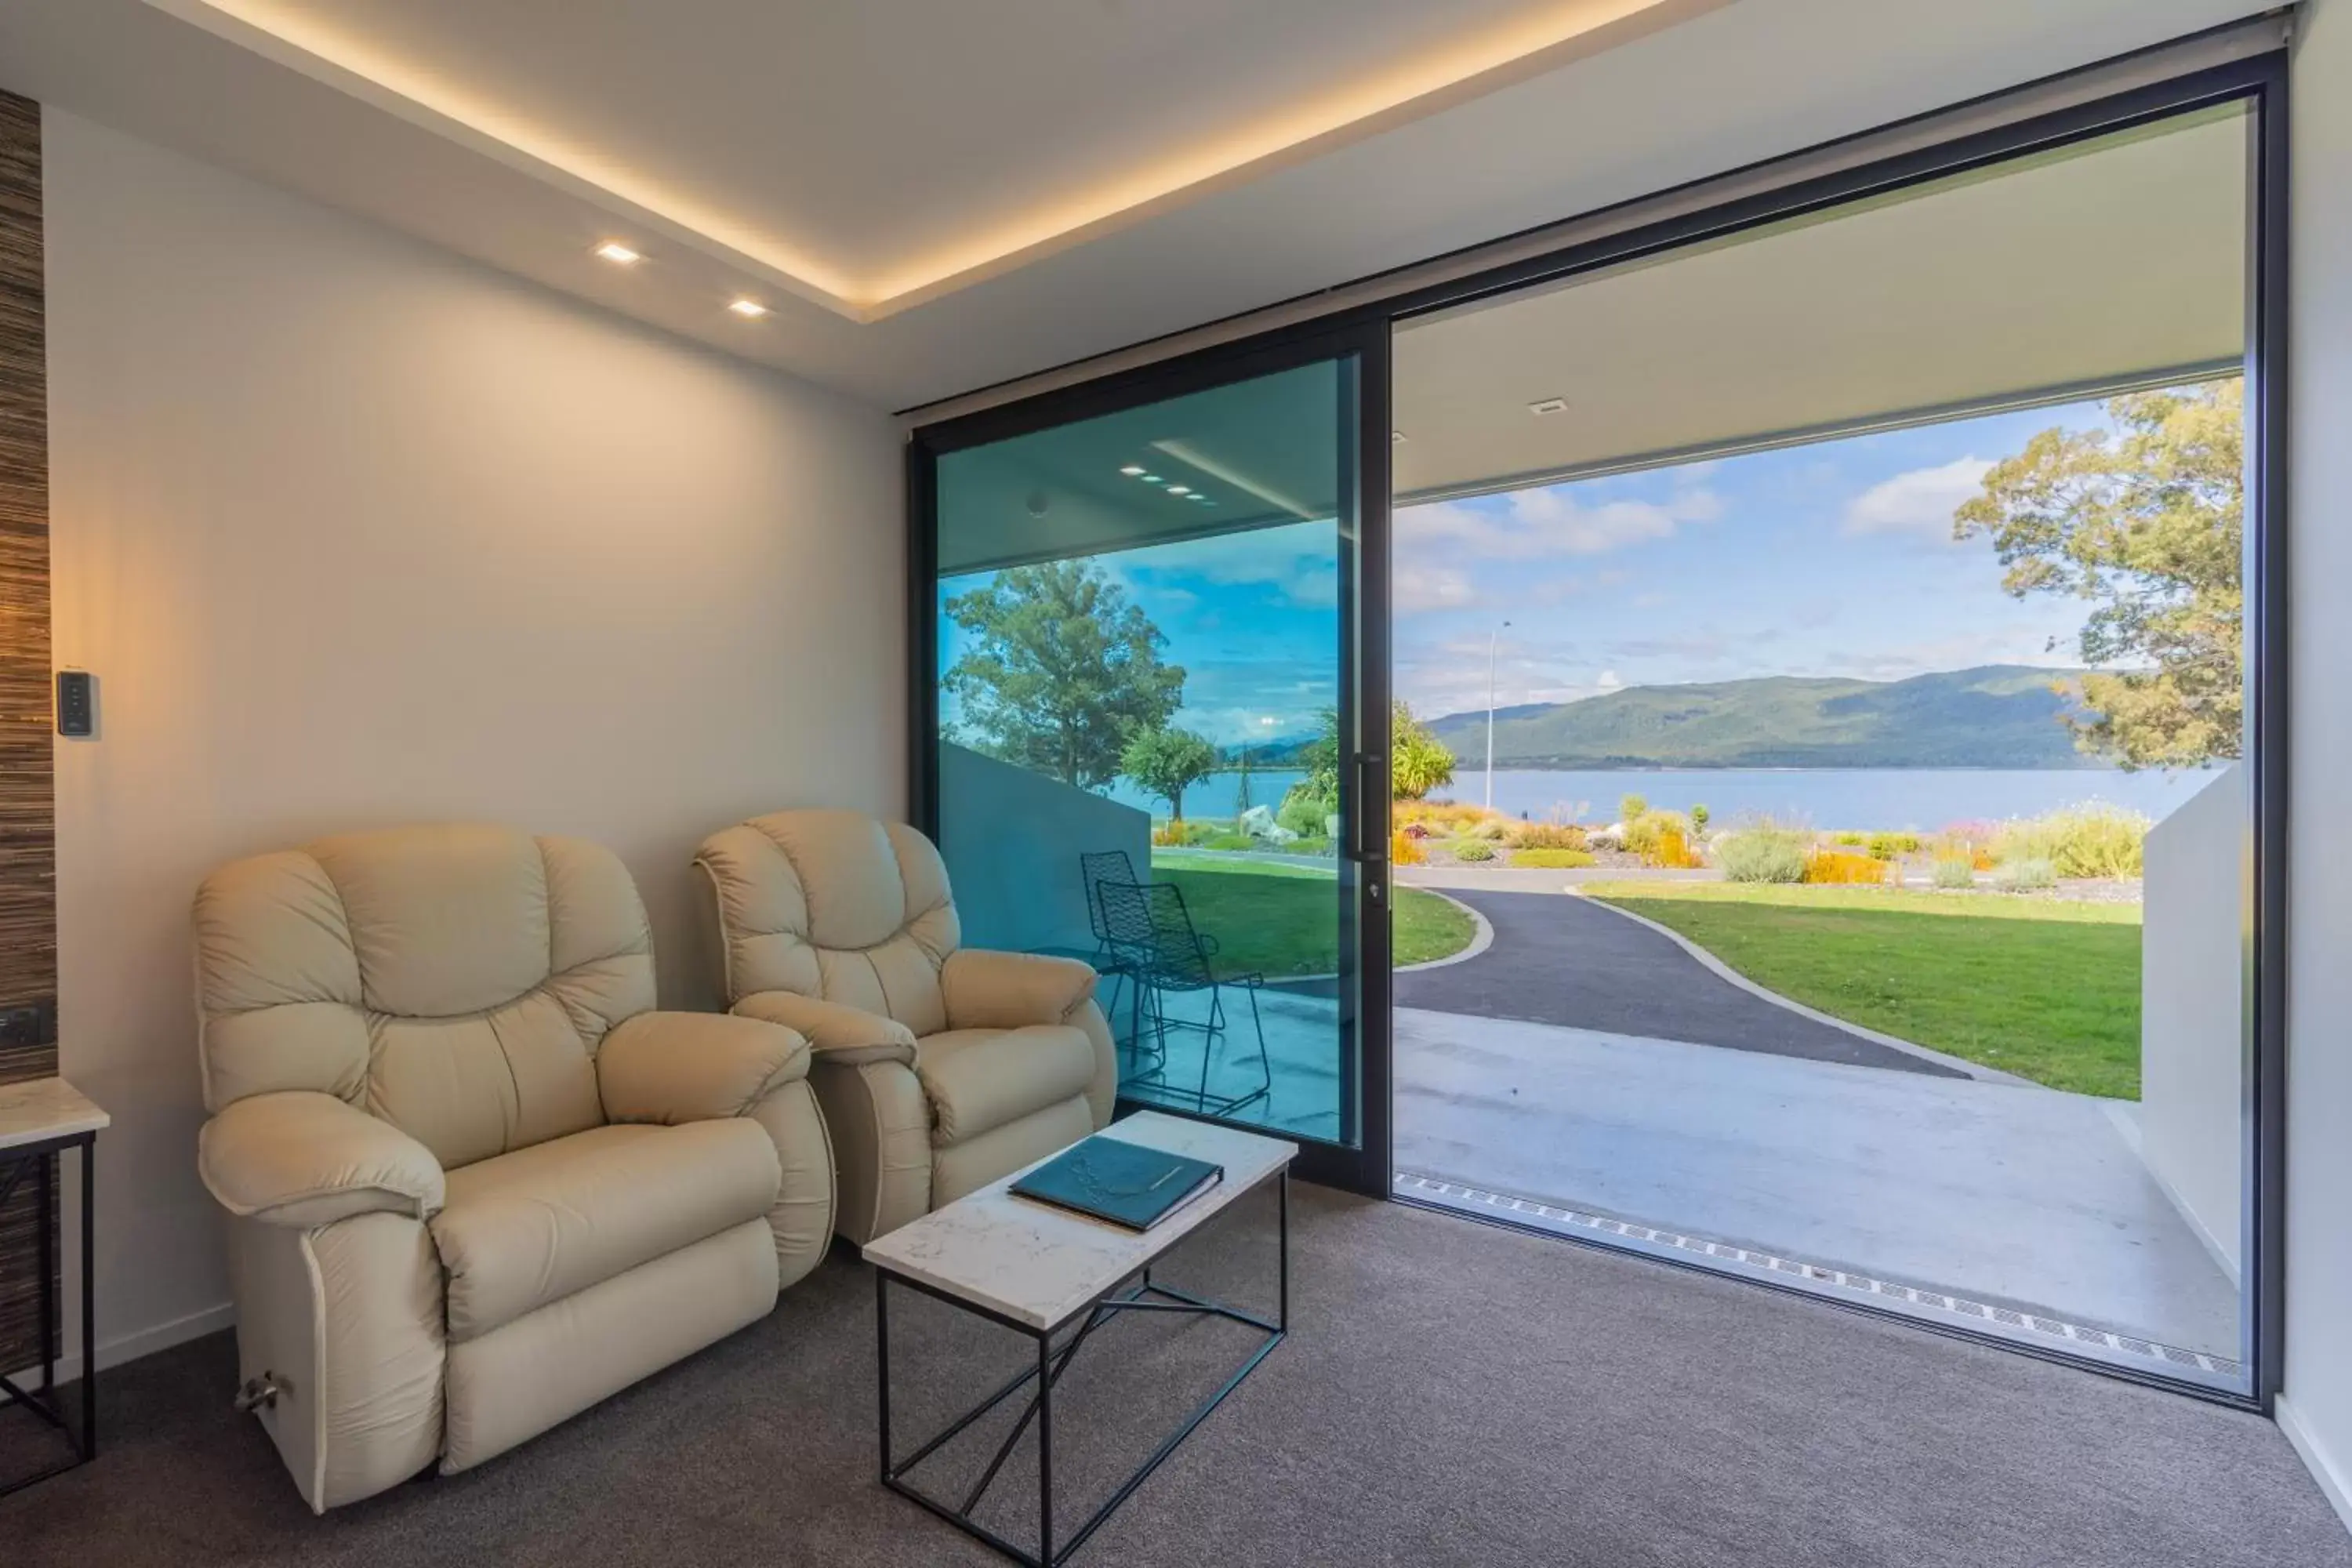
940 1068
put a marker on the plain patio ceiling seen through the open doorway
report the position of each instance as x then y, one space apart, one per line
2109 264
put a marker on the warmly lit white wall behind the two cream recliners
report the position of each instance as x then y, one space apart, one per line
356 532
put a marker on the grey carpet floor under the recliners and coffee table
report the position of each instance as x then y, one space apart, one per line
1450 1395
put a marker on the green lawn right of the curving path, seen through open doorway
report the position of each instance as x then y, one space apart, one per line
2040 989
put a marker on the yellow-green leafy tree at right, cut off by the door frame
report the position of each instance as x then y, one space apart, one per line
2149 525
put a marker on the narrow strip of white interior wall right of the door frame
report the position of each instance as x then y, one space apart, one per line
2318 1405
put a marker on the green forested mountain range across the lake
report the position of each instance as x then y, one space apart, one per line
1989 718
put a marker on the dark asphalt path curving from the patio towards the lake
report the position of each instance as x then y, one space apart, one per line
1568 963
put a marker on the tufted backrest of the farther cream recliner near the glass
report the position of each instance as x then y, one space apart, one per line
838 906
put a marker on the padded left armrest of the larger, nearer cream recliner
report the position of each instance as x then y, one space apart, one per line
305 1158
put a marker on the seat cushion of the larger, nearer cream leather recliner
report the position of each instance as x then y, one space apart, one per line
530 1228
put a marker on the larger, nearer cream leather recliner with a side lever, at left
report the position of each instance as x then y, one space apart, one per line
474 1181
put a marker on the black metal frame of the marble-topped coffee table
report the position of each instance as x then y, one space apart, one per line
1053 1362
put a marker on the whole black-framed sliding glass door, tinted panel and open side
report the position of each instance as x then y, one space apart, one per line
1836 725
